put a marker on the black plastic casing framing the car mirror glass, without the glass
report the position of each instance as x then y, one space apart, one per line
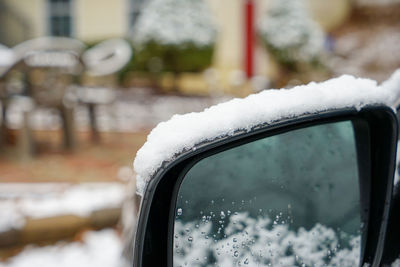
376 139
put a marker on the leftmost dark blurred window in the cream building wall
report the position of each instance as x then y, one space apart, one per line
60 19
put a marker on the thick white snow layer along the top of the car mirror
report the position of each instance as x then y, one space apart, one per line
184 132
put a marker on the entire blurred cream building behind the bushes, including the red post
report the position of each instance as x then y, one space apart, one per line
236 58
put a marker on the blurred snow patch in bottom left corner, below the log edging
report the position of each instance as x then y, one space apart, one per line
100 249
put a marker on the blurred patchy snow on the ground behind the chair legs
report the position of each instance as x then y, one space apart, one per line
133 110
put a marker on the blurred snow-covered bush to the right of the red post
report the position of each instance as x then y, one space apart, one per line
290 33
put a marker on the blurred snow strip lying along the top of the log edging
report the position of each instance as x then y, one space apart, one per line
21 201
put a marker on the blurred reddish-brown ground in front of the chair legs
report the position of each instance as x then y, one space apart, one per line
90 162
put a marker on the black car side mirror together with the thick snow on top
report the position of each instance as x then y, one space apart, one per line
299 177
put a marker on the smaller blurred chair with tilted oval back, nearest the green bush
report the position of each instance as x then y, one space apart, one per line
102 60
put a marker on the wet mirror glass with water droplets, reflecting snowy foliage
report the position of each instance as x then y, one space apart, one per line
286 200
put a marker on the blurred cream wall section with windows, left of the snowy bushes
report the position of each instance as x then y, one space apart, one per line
87 20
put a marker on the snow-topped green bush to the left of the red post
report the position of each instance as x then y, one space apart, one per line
174 35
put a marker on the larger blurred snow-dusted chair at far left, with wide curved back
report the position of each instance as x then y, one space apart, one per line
42 70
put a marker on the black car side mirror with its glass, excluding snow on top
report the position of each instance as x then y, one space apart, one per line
306 190
